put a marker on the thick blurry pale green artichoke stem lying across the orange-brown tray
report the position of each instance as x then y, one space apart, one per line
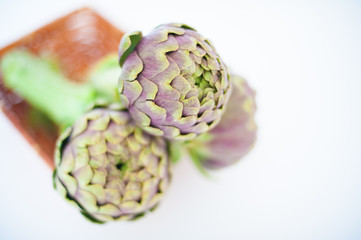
41 84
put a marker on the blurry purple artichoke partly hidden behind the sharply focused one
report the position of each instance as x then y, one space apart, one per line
235 134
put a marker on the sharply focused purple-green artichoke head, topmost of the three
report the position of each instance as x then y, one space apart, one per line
173 81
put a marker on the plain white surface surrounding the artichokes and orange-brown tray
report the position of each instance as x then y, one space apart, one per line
302 180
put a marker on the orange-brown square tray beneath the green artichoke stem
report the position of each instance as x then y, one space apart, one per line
77 41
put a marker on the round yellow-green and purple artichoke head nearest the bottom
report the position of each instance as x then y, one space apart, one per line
109 167
